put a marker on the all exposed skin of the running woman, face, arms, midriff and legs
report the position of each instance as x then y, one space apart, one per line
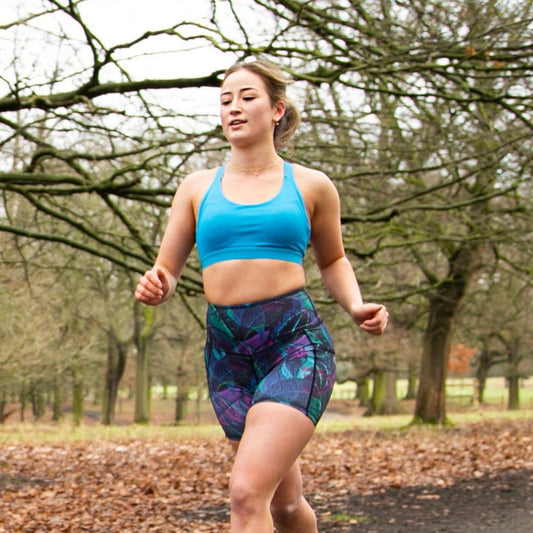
266 483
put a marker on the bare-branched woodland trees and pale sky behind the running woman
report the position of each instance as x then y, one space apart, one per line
419 110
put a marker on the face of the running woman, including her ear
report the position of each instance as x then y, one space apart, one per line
246 112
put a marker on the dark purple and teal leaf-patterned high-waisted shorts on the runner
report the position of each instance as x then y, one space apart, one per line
276 350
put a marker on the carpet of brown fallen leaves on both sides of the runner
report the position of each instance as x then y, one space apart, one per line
181 486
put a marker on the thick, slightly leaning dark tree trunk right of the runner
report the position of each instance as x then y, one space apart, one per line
443 308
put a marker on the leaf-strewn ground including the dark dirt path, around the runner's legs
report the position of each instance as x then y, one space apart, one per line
473 477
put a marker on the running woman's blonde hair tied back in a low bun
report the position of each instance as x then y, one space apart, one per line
276 83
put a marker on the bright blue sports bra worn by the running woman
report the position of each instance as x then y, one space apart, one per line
276 229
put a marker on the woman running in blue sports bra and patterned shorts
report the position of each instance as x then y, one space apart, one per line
269 357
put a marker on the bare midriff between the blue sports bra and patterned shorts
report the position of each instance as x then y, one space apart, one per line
248 280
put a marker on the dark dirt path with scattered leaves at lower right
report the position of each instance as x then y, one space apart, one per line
494 503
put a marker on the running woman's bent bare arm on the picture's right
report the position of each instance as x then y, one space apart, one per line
335 268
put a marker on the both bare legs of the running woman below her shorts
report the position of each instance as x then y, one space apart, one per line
266 472
